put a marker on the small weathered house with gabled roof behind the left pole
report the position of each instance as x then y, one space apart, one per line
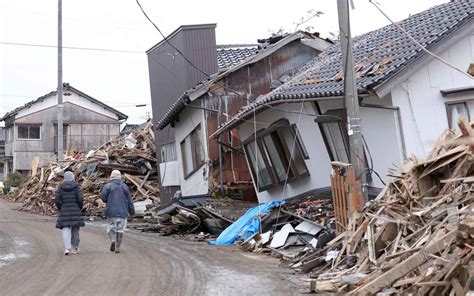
31 130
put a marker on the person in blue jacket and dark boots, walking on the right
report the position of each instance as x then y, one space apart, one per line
119 205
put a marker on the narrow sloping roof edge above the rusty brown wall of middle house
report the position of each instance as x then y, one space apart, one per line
268 47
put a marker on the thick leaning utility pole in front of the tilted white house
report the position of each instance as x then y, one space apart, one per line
351 100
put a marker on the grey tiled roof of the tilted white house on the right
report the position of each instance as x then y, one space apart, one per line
378 56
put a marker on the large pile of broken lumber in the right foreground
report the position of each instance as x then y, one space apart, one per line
415 238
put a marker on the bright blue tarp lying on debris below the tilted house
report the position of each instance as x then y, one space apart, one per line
246 226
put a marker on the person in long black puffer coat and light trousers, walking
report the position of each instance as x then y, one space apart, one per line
69 200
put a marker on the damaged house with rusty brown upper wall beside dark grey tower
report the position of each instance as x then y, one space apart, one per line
202 166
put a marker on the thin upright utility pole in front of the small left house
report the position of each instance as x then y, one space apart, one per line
60 82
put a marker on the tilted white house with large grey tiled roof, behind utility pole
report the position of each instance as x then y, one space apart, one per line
407 98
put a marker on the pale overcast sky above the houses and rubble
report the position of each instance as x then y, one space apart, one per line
121 79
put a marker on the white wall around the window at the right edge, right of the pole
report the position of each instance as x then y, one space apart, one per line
419 98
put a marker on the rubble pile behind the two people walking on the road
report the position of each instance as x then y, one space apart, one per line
132 154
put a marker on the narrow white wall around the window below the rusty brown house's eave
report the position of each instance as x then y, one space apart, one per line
197 183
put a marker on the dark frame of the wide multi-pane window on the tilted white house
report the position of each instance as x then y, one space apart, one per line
276 134
